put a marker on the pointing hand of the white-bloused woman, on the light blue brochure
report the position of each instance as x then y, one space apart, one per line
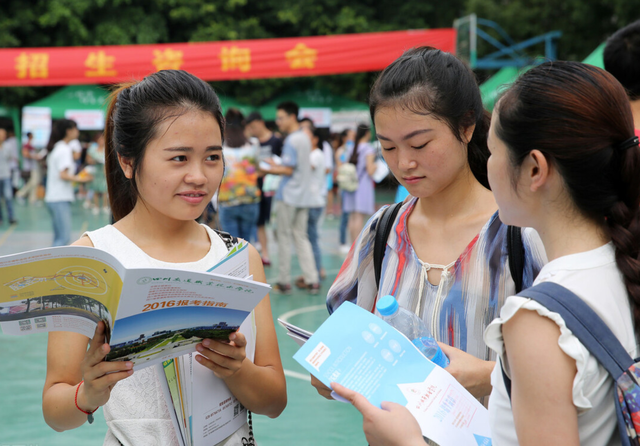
393 425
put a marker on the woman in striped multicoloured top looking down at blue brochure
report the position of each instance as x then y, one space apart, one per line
446 257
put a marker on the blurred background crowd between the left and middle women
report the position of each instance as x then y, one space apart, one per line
295 166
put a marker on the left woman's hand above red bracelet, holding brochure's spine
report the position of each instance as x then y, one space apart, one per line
100 376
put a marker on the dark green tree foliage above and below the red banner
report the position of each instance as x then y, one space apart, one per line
36 23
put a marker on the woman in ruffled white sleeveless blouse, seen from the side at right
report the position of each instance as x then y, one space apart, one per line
564 160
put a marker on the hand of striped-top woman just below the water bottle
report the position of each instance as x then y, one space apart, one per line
474 374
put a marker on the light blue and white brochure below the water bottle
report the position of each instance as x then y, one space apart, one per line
362 352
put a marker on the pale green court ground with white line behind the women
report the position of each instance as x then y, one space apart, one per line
308 419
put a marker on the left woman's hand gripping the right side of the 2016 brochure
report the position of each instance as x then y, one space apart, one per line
224 359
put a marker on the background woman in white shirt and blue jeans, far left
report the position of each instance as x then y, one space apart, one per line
61 173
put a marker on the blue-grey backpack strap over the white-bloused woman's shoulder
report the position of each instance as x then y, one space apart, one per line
585 324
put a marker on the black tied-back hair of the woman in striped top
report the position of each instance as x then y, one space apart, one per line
428 81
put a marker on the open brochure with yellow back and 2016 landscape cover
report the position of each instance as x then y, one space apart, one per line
165 312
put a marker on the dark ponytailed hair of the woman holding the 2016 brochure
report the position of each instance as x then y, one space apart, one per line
136 109
